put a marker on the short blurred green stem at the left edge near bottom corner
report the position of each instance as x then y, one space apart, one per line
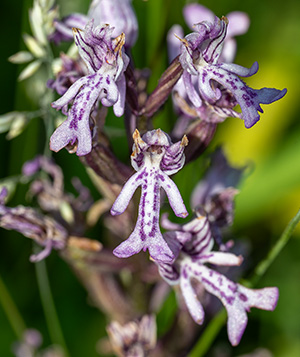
11 311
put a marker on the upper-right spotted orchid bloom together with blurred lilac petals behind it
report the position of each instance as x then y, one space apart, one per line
210 87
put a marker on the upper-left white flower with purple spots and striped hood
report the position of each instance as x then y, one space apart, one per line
106 62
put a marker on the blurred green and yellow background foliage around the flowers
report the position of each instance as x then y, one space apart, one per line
269 197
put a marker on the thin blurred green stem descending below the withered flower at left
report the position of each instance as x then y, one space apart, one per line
52 320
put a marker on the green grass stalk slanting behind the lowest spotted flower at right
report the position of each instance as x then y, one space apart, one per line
214 327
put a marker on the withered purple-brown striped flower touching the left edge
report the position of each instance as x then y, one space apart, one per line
43 229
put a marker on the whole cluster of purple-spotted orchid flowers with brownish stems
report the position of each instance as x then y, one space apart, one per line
206 87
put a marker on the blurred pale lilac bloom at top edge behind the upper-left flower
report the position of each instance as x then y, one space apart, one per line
119 14
